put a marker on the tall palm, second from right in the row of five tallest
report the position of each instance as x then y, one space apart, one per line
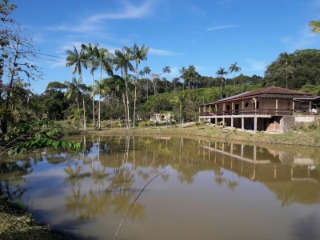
122 61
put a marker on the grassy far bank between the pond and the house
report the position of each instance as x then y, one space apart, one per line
306 137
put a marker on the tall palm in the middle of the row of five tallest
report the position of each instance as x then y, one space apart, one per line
105 59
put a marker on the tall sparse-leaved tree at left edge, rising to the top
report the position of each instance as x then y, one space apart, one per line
16 59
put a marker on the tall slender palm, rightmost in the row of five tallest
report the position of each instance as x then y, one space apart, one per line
139 54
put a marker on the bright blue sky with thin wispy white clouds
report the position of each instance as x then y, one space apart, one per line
208 34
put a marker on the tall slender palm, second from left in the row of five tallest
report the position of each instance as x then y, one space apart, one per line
93 62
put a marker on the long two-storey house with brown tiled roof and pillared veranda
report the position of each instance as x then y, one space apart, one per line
271 109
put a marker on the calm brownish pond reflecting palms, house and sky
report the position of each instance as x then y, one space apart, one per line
190 189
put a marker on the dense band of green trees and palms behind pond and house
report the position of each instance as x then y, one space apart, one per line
128 94
